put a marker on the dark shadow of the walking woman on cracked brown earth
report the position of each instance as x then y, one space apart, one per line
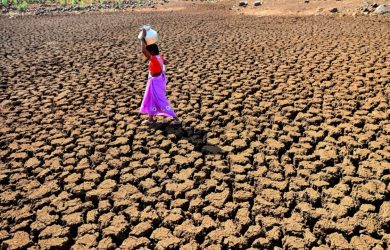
197 137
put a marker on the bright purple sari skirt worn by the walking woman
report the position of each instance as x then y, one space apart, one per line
155 101
